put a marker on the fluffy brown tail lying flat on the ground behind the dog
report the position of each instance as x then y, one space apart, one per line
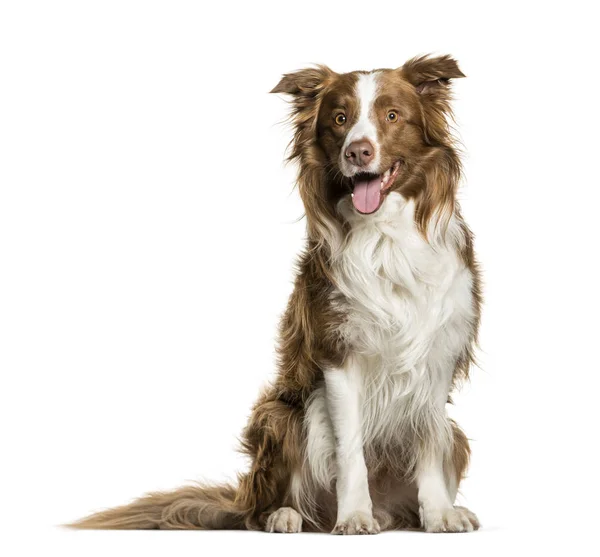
194 507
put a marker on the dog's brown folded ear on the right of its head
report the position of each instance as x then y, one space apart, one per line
431 75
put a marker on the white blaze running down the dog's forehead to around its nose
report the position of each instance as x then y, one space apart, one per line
365 128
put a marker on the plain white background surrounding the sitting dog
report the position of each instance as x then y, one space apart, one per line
148 231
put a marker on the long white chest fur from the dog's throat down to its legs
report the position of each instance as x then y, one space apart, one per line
409 308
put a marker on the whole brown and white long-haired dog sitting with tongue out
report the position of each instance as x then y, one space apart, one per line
353 435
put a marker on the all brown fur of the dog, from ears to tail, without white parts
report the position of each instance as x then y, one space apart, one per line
274 438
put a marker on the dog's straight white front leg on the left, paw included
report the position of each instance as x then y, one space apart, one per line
344 401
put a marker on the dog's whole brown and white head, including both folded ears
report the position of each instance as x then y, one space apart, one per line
366 134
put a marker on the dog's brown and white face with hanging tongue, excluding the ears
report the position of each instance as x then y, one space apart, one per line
368 125
